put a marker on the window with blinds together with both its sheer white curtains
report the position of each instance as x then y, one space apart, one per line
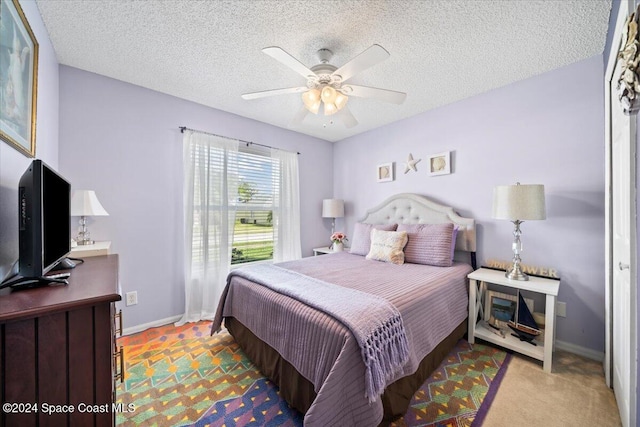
225 225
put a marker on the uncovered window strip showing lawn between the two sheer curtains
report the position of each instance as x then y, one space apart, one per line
253 232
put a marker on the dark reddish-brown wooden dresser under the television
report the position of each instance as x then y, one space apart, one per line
57 348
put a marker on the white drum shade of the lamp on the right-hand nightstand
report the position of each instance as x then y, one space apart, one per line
519 202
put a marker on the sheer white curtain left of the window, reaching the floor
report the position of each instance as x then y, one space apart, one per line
210 198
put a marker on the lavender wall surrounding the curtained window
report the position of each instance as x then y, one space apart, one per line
123 142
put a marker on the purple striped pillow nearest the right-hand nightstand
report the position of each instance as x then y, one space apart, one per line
429 244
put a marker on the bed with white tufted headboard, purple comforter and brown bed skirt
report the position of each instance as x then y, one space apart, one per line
317 361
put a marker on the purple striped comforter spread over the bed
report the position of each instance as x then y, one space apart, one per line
431 300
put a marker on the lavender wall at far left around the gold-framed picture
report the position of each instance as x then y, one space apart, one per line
13 163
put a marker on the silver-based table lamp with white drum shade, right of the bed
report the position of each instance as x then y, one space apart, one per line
517 203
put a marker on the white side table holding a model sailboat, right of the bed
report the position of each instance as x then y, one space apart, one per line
478 281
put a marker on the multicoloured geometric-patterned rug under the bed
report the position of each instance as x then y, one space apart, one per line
179 376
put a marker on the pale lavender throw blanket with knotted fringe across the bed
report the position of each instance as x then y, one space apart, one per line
374 321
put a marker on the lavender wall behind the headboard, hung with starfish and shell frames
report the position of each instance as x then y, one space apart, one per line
545 130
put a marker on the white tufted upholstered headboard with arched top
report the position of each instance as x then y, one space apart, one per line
415 209
